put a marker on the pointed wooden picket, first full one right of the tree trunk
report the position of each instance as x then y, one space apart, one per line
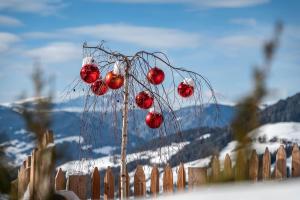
139 182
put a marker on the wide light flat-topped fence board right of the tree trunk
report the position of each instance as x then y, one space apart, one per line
197 176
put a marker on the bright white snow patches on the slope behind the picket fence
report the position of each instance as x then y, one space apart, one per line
274 135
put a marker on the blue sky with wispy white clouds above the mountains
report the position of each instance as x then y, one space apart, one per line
220 39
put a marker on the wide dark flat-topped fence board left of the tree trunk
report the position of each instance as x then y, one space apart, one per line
78 184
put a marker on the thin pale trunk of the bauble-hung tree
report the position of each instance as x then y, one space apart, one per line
124 132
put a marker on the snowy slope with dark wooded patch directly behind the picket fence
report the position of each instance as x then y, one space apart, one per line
197 151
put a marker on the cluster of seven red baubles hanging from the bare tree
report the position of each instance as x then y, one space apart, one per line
91 75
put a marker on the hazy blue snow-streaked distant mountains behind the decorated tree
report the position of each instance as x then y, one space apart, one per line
99 135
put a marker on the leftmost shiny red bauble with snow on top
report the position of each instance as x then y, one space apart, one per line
89 73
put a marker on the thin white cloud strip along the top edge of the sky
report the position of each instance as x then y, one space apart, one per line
200 3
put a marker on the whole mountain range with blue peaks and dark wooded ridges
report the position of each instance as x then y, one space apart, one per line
105 139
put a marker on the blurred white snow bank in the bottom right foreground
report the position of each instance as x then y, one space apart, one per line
259 191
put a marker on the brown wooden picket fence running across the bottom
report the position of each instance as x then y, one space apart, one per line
85 186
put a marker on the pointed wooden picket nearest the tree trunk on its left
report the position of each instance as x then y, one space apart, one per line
109 184
